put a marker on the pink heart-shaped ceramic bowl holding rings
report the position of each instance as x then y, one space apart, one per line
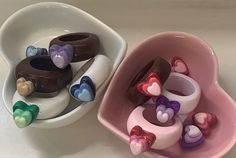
203 68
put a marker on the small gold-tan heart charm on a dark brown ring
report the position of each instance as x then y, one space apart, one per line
24 87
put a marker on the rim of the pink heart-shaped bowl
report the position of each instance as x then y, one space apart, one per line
214 86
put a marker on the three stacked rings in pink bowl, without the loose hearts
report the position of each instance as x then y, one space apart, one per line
157 125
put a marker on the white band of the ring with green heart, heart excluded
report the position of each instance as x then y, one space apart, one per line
48 107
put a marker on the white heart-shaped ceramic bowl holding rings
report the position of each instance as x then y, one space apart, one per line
36 25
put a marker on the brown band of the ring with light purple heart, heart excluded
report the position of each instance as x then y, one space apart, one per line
85 45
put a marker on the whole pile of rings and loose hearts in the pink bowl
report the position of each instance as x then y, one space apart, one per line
165 97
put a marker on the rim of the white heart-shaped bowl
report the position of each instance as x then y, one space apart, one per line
55 122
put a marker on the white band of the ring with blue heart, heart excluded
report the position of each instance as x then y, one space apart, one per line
97 69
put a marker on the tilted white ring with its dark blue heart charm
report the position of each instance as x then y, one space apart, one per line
89 78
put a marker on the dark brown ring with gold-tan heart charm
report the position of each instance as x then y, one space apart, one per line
39 74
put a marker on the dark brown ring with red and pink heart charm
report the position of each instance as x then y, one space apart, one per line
148 82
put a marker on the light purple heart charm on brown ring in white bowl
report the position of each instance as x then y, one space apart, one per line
61 55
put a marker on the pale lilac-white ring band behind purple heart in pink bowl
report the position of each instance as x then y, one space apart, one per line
183 89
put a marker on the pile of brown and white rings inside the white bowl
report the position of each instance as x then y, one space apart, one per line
47 79
